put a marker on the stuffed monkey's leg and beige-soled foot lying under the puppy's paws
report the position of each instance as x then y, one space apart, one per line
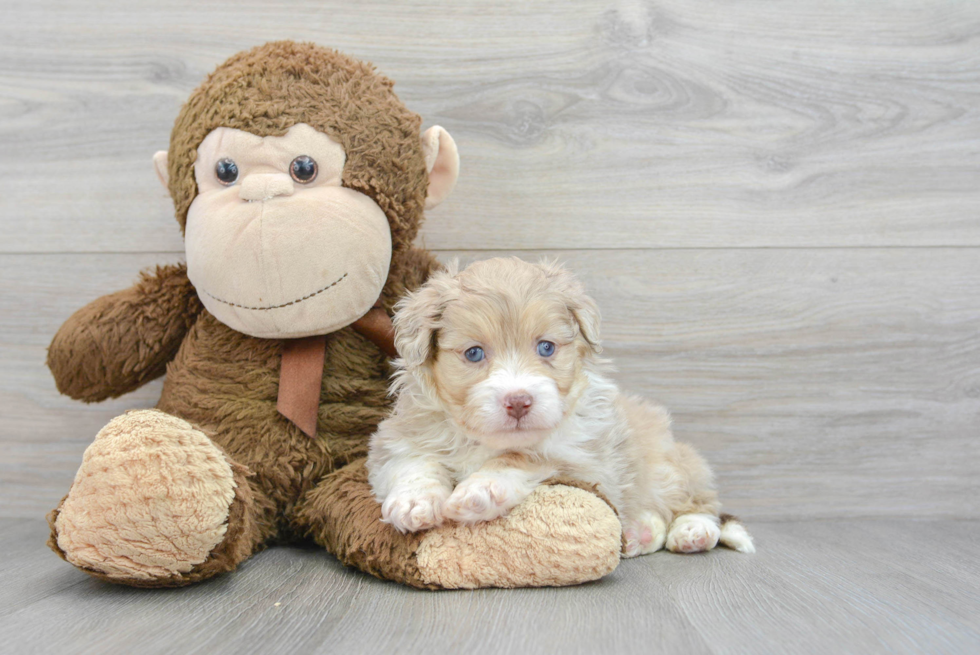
559 535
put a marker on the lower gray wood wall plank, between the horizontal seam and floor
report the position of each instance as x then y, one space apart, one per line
819 383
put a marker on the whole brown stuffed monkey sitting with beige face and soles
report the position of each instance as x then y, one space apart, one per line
299 181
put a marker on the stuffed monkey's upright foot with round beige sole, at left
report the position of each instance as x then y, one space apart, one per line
150 504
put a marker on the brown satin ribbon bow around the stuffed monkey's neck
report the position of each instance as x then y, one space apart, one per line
301 373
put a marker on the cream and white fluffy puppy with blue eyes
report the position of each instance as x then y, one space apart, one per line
499 388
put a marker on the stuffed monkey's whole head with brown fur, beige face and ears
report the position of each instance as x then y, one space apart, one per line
298 176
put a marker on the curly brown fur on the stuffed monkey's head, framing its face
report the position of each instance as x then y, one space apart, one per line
270 88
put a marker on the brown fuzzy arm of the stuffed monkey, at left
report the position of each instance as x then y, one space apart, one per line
120 342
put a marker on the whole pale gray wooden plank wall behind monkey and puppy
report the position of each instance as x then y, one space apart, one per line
777 205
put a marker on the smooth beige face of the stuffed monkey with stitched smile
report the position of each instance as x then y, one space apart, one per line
277 258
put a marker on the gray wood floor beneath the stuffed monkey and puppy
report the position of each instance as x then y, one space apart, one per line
813 587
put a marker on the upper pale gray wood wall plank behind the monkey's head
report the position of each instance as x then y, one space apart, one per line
599 125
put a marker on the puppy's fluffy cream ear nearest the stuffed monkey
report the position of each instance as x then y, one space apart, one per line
417 318
